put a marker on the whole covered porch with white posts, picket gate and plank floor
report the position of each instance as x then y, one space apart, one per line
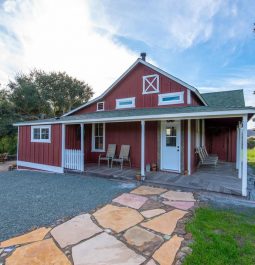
227 136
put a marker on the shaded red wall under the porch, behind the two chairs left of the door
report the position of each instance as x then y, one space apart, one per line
119 133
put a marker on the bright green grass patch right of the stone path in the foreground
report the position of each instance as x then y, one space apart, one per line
222 237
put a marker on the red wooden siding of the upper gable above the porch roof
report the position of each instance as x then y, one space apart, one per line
132 86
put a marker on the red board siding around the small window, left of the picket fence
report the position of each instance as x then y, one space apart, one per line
41 153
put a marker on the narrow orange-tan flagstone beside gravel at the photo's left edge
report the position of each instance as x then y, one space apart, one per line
33 236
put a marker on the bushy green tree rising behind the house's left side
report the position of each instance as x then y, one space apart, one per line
40 94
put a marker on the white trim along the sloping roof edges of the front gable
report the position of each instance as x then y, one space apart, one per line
155 68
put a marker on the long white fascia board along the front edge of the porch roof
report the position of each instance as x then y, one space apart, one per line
177 116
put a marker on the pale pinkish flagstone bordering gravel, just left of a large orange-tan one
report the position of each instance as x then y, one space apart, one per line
75 230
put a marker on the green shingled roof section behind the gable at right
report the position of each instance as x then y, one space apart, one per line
228 99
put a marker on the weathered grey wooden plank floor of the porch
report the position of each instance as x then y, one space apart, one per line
223 178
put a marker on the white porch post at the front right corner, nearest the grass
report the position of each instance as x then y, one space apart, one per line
244 156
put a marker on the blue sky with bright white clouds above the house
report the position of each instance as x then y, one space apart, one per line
207 43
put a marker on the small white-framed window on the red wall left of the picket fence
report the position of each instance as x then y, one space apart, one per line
41 134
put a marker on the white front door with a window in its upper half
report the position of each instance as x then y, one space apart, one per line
170 145
